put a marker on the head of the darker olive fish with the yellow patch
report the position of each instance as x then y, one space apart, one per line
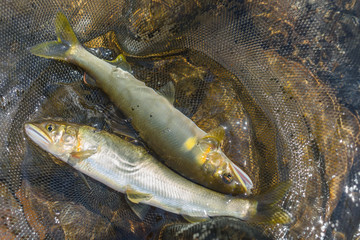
224 172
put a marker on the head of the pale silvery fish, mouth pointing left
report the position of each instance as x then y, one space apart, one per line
59 139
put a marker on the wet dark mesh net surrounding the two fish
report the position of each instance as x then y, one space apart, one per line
281 76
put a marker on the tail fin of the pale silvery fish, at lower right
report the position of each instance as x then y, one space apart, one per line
266 210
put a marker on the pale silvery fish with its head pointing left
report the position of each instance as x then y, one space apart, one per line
130 169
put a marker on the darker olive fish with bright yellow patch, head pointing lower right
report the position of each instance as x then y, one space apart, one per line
180 143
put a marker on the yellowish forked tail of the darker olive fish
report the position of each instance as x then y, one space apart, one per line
60 49
